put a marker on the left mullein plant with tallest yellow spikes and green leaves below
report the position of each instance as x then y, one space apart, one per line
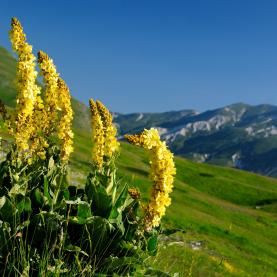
33 175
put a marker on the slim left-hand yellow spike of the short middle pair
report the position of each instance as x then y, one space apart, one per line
98 139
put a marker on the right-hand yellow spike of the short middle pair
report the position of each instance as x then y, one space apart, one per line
111 143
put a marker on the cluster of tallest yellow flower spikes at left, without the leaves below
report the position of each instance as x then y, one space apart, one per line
37 119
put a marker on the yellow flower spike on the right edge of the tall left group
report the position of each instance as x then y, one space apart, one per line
64 129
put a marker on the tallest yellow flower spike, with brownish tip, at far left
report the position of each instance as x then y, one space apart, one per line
27 89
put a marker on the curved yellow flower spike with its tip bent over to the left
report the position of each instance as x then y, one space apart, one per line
162 172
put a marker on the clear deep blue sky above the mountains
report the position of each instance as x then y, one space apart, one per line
156 55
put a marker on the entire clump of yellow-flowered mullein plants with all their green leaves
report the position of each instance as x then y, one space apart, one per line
48 225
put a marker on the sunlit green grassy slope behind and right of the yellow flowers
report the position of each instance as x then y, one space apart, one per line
230 212
